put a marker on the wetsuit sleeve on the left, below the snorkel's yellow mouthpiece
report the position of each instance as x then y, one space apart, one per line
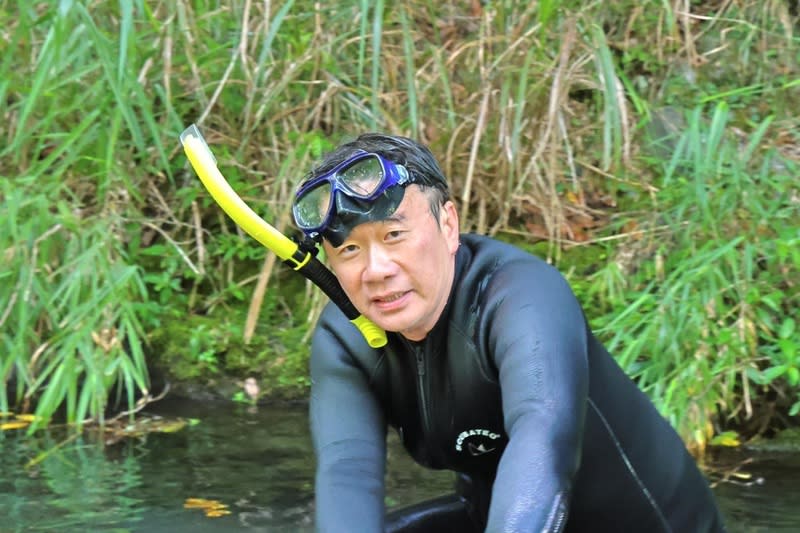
348 431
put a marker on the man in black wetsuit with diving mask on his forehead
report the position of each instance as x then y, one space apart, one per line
490 371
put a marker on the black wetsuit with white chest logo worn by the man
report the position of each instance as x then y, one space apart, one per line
512 390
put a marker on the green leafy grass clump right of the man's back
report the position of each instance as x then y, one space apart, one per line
708 323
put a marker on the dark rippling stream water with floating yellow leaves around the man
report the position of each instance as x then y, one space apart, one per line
253 467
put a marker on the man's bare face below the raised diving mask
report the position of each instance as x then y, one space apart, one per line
398 272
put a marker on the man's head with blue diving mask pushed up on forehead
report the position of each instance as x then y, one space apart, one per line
382 208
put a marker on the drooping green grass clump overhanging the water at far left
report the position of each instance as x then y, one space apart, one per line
71 330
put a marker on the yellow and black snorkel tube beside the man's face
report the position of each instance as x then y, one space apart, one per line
303 261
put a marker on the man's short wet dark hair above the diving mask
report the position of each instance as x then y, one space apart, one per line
417 158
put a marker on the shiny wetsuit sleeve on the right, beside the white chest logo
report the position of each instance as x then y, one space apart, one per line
538 339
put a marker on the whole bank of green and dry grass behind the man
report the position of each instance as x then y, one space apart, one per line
541 113
